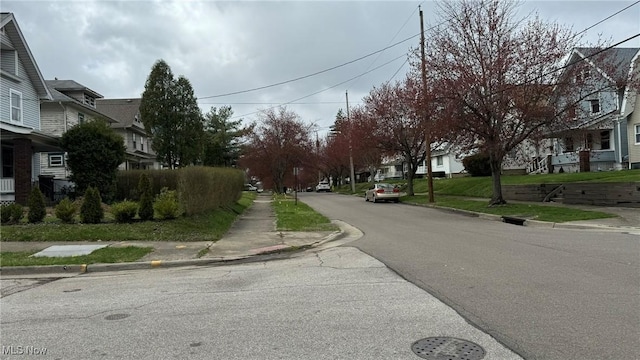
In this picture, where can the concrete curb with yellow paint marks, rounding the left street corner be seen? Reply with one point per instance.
(275, 254)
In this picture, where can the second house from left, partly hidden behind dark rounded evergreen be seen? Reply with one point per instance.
(71, 103)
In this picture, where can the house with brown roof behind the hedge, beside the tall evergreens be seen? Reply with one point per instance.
(138, 146)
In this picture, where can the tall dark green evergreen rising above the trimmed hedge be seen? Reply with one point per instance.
(172, 118)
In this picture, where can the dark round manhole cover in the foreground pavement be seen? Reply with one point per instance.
(447, 348)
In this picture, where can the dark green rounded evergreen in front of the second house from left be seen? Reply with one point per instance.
(94, 152)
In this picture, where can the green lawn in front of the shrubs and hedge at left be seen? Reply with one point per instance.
(204, 227)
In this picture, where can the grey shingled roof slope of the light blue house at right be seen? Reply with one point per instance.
(618, 60)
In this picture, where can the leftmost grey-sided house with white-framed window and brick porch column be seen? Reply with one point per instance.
(22, 88)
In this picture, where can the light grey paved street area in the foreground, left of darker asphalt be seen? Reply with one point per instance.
(335, 303)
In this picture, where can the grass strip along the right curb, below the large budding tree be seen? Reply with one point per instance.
(529, 211)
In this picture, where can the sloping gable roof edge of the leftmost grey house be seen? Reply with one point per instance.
(18, 42)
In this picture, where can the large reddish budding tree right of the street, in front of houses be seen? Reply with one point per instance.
(496, 74)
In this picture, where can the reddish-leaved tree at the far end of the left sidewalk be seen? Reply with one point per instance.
(278, 144)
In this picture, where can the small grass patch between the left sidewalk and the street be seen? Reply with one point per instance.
(300, 217)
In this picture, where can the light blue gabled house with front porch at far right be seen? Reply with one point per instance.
(601, 120)
